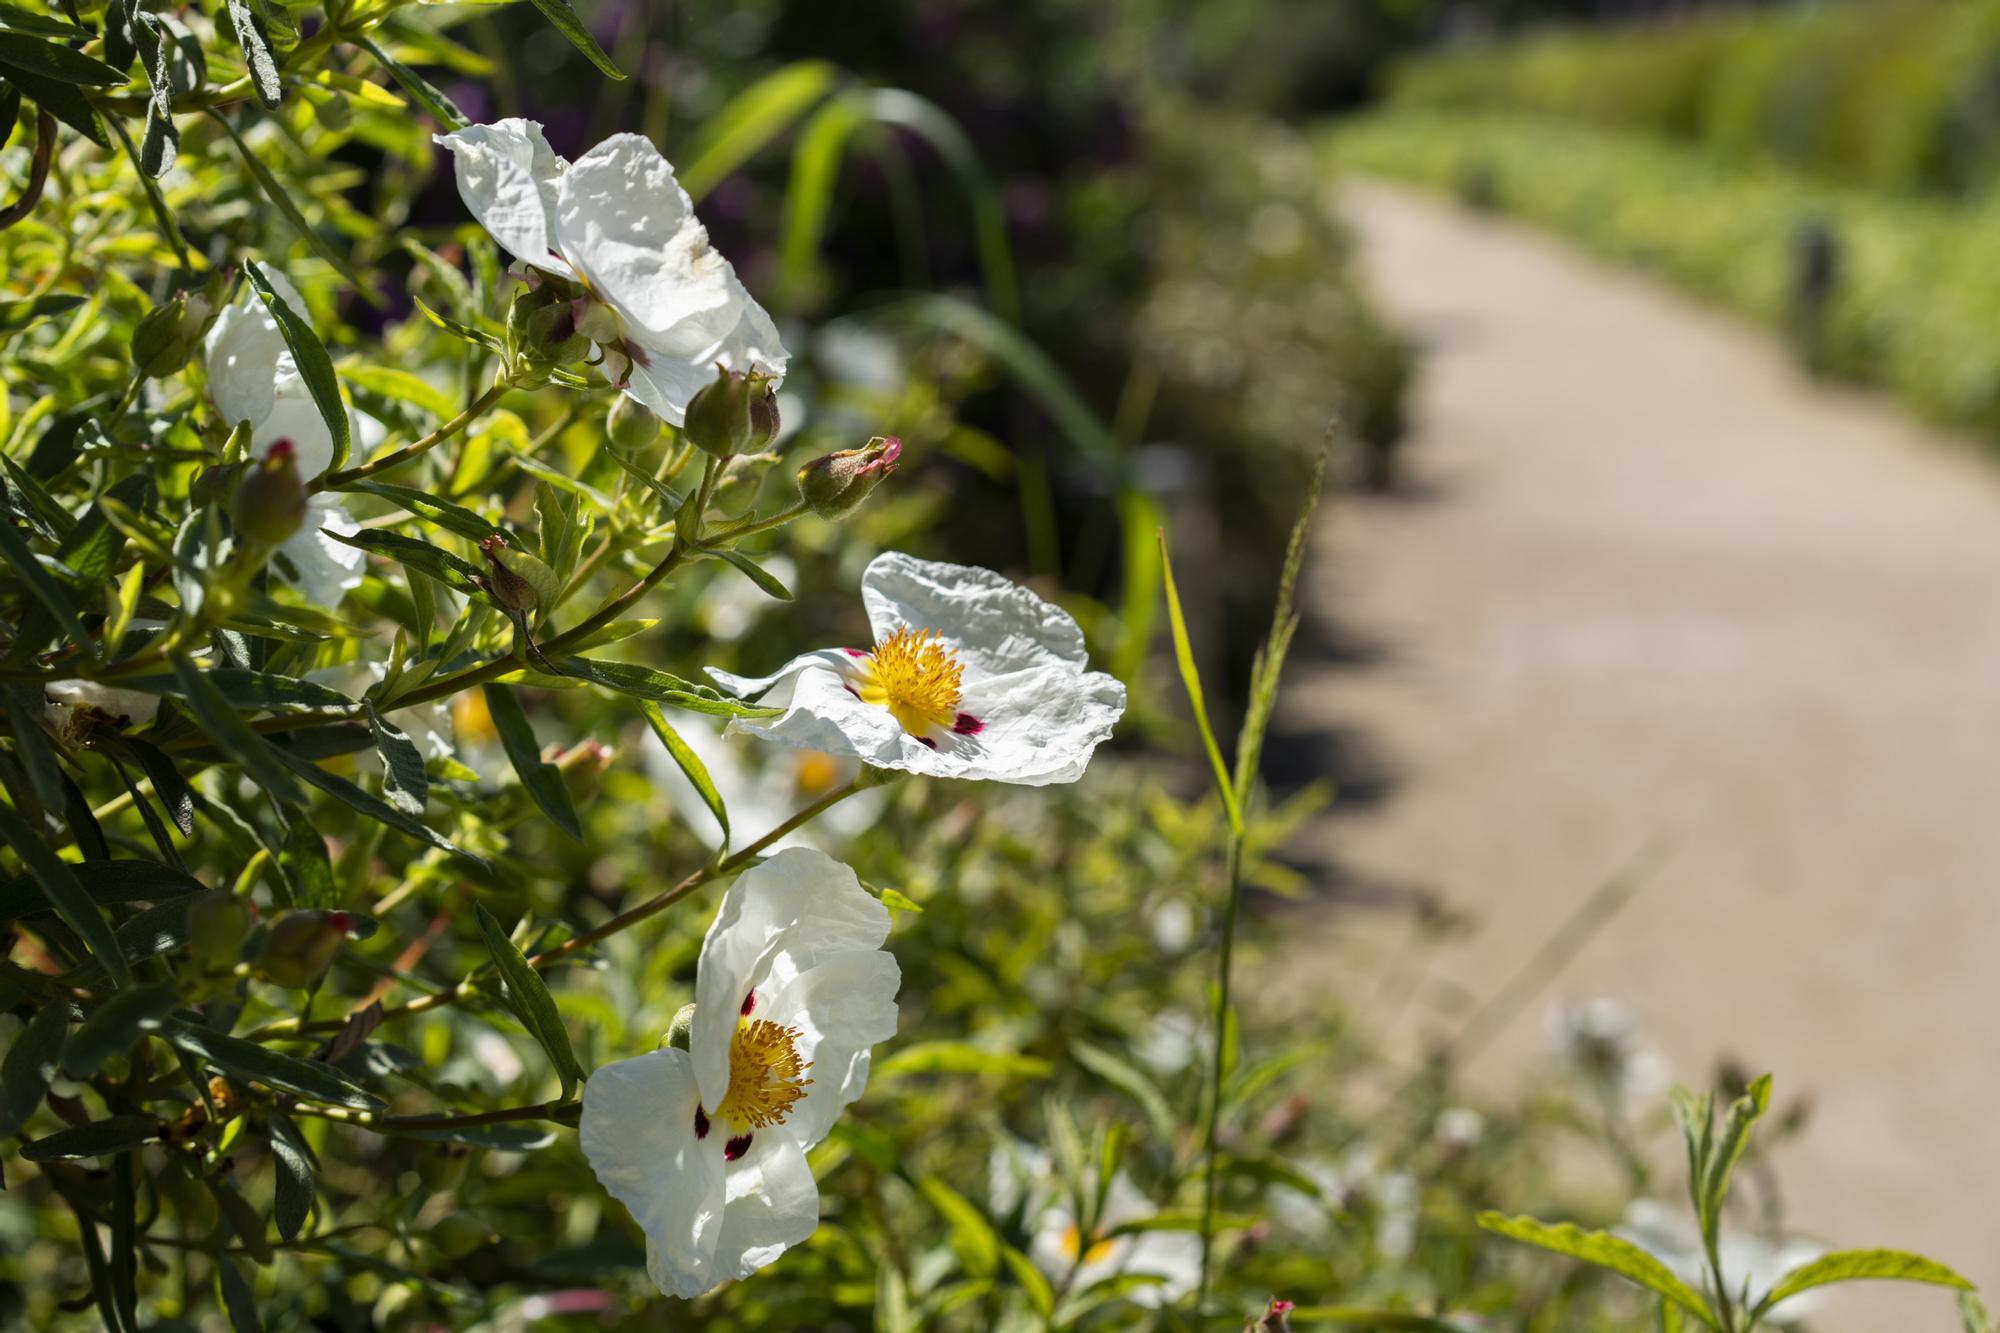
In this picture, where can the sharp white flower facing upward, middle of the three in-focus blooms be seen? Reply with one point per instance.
(969, 678)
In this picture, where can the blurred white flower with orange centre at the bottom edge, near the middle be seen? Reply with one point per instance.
(1023, 1176)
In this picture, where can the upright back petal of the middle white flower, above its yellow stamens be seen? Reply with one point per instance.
(993, 625)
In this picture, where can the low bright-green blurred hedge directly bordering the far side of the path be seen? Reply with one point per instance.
(1911, 309)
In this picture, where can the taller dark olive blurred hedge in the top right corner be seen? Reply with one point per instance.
(1895, 97)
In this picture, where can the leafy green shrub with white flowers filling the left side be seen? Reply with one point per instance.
(421, 922)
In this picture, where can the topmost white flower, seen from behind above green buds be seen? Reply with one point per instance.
(661, 301)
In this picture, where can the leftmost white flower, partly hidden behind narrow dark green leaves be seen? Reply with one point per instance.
(253, 377)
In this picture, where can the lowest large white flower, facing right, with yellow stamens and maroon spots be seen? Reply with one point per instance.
(707, 1146)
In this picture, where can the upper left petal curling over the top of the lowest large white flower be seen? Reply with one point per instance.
(777, 922)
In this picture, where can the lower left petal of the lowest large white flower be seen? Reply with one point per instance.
(637, 1132)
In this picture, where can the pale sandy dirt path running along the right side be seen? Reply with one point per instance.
(1653, 585)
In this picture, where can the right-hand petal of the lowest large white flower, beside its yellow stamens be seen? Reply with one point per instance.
(841, 1010)
